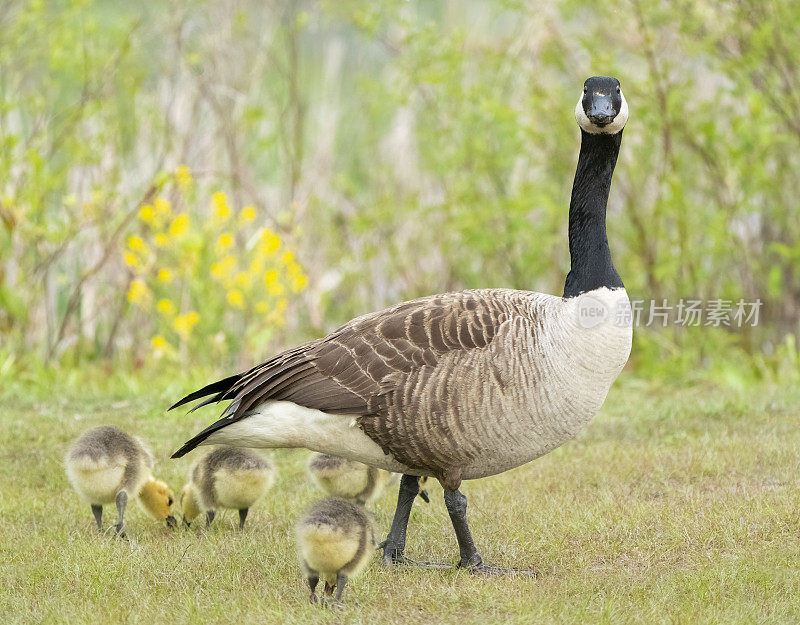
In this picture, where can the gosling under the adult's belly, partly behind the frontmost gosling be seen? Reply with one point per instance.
(340, 477)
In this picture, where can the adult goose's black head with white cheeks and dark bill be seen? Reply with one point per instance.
(602, 108)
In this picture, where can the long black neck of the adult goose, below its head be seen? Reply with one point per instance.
(591, 267)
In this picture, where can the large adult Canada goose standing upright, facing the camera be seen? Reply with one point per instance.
(461, 385)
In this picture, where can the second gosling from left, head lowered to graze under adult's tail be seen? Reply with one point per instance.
(228, 477)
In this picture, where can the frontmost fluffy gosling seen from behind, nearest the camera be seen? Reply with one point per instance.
(335, 540)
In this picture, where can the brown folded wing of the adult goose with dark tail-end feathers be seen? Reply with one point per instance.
(348, 371)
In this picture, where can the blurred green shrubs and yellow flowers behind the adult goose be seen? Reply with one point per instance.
(205, 182)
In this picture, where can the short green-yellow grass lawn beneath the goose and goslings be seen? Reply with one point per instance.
(673, 506)
